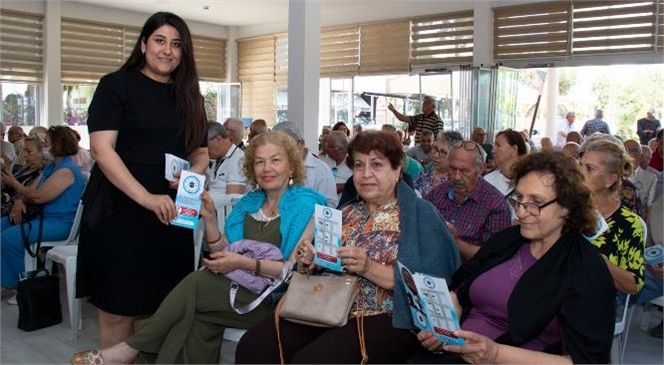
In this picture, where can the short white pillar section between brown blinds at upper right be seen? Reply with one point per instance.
(482, 34)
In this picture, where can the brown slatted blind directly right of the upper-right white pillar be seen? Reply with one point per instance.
(531, 31)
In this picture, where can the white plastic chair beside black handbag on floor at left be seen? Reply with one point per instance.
(66, 255)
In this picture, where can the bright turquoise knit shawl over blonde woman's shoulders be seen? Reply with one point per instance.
(296, 208)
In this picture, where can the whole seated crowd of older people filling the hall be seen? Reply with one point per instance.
(512, 241)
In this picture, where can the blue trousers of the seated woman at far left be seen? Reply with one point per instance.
(13, 251)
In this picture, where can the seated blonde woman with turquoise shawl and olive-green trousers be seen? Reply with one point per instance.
(189, 325)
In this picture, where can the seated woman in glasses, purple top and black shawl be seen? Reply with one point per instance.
(536, 292)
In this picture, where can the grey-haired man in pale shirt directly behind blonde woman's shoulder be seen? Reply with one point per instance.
(319, 175)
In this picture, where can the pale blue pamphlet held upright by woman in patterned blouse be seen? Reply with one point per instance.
(327, 237)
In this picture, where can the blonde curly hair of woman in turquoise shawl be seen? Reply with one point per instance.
(281, 140)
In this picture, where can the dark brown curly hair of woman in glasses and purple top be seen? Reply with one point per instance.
(571, 190)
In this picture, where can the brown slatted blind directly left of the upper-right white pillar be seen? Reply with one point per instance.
(442, 39)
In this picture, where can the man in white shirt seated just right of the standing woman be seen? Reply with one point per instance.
(227, 180)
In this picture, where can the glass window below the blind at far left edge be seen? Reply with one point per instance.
(20, 103)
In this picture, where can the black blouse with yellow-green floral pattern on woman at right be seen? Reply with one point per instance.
(623, 242)
